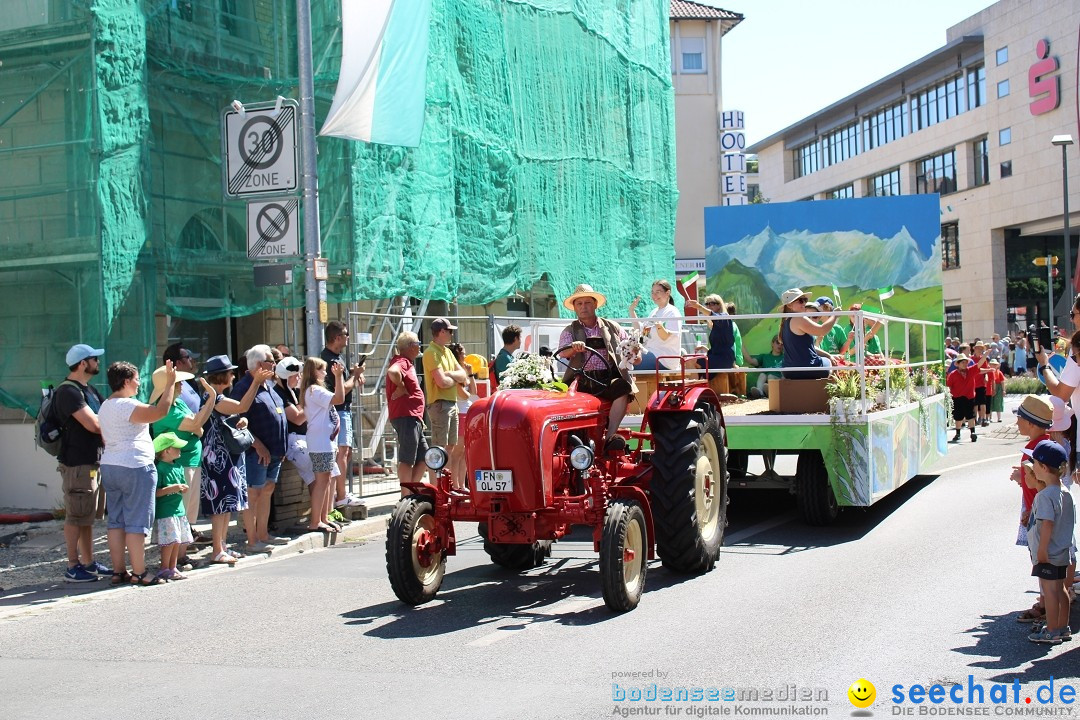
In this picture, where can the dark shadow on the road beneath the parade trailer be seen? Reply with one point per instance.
(749, 508)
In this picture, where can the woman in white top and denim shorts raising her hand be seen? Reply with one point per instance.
(127, 467)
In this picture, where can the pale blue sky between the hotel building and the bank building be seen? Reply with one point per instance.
(790, 59)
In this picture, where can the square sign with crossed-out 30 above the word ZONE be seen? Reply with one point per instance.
(260, 151)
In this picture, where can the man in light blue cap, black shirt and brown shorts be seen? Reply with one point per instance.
(75, 407)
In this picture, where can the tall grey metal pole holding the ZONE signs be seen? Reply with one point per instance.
(313, 243)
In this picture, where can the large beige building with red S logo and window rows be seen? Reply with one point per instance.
(974, 123)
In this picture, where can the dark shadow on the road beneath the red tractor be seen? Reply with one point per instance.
(565, 591)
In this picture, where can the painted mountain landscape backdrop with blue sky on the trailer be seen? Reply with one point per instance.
(754, 253)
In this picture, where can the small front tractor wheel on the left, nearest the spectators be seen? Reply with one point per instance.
(416, 573)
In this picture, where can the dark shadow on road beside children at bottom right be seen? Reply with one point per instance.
(1005, 642)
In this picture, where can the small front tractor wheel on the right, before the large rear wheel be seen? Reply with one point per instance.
(624, 562)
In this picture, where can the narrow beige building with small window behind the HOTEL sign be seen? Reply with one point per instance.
(697, 33)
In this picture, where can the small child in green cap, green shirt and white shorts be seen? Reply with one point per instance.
(171, 525)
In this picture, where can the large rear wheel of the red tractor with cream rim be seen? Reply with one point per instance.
(690, 488)
